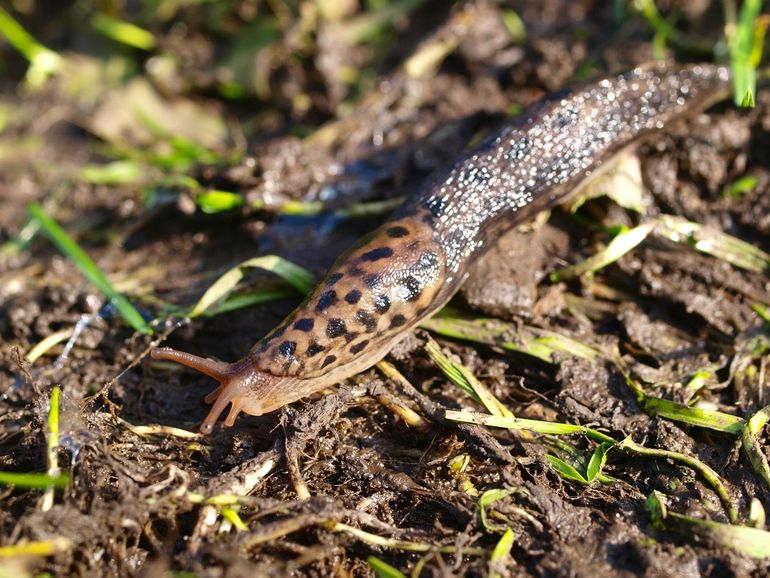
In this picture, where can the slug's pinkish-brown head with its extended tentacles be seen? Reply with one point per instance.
(237, 385)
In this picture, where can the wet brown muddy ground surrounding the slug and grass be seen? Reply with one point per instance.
(136, 503)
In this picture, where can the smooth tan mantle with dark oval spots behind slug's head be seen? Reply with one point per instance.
(365, 302)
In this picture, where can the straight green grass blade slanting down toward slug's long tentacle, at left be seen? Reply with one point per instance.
(89, 269)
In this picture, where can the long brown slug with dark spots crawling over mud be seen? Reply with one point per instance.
(408, 268)
